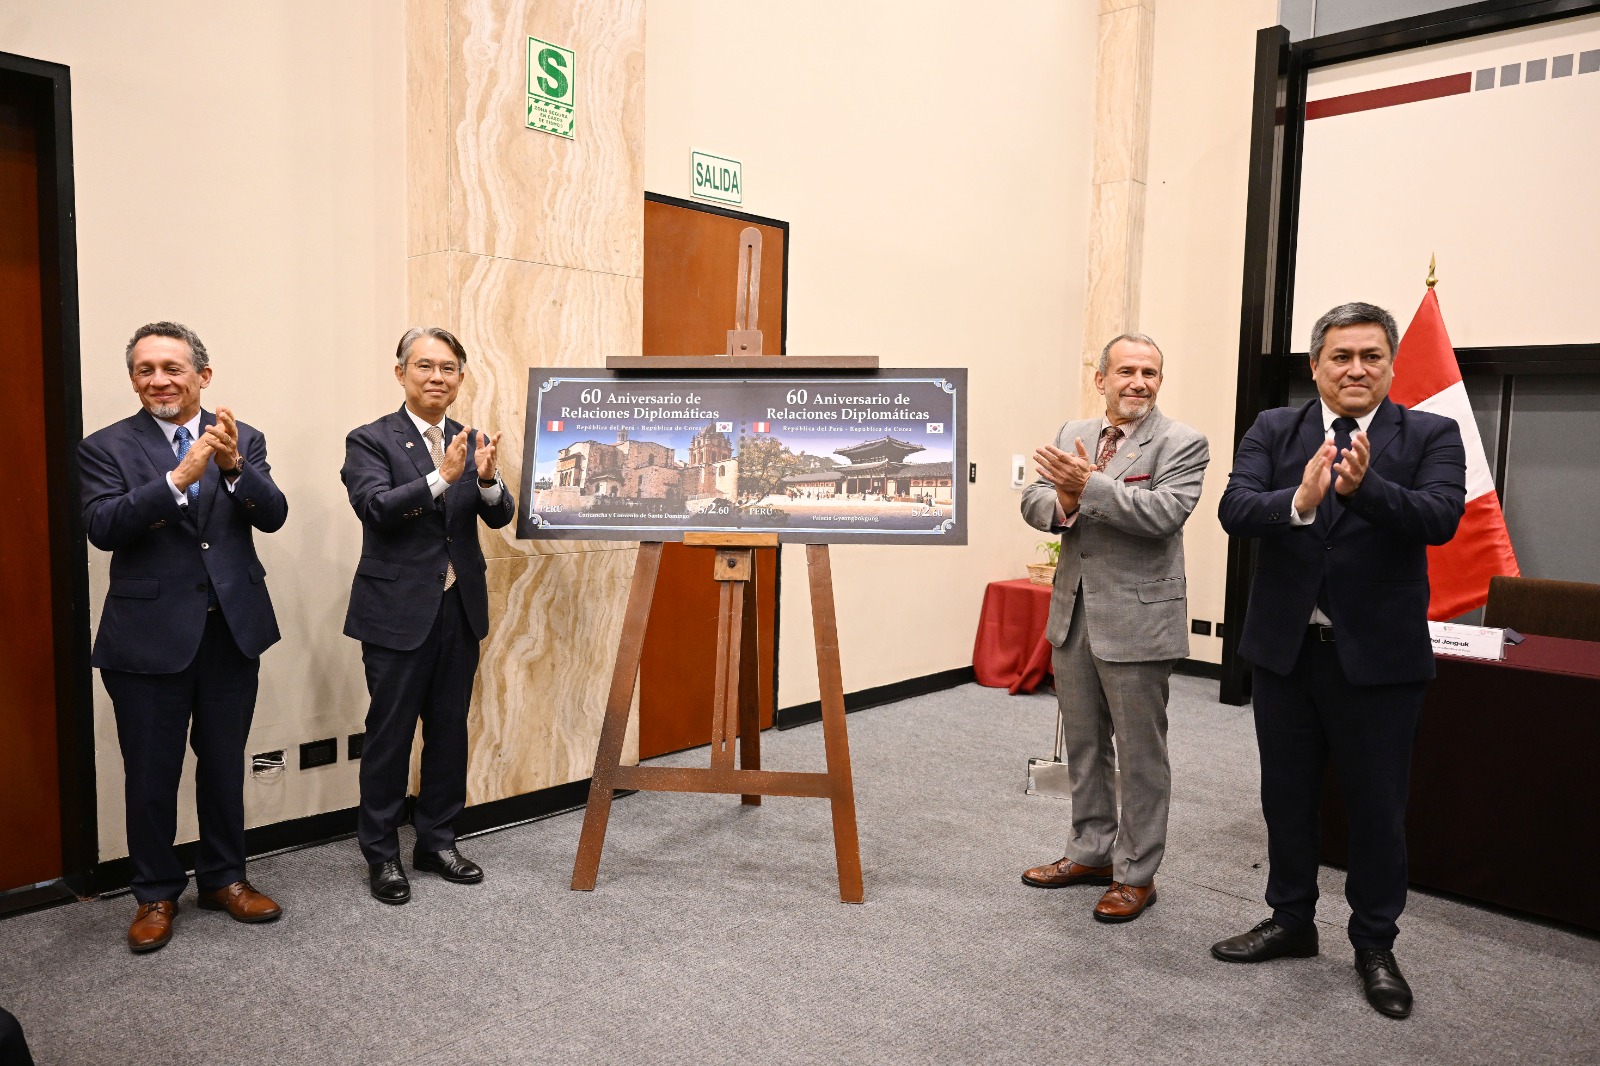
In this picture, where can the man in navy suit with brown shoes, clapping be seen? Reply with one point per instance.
(175, 495)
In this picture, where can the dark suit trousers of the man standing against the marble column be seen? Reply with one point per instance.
(434, 684)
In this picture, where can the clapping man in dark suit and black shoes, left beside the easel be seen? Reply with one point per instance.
(420, 606)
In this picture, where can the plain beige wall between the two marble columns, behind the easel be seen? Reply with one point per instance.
(934, 164)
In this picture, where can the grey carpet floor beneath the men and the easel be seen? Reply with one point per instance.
(716, 936)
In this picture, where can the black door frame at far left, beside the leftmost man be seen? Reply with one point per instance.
(47, 87)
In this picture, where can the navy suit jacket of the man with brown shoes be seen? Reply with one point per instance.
(166, 558)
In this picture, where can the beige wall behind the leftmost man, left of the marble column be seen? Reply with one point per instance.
(241, 170)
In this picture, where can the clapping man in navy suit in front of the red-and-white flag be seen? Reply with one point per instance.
(1345, 495)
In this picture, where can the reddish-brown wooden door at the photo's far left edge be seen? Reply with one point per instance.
(30, 769)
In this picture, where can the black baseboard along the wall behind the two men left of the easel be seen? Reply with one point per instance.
(114, 876)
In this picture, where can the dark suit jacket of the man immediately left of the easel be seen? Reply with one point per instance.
(407, 535)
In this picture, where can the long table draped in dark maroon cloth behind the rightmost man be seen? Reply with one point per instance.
(1505, 790)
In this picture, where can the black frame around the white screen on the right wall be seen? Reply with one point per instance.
(1266, 366)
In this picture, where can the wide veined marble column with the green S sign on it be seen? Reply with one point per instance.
(530, 249)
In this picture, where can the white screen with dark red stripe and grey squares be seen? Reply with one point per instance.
(1484, 151)
